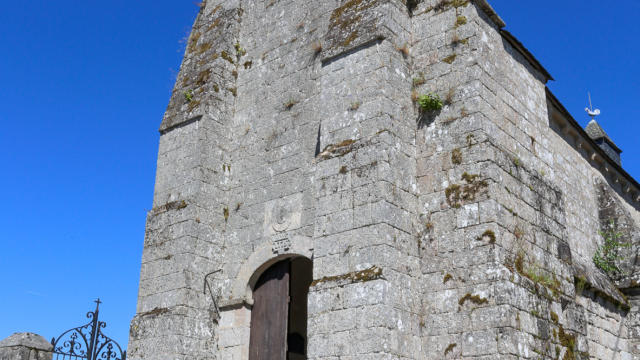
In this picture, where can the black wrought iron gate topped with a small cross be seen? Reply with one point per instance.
(87, 342)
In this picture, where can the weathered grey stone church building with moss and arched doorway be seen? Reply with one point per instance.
(380, 179)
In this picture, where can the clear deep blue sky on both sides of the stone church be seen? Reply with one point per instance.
(84, 84)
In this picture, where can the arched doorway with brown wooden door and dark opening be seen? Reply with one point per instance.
(279, 313)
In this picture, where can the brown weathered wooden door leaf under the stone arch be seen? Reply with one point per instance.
(270, 314)
